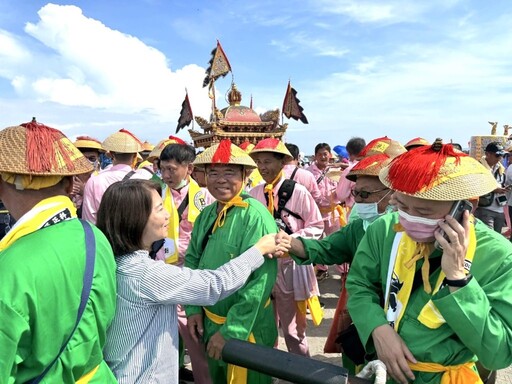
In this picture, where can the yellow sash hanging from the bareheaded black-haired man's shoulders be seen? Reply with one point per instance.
(196, 203)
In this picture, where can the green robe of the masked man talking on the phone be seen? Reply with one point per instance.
(478, 316)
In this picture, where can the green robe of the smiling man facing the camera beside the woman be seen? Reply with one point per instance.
(248, 310)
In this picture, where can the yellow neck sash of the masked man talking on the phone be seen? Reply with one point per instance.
(409, 252)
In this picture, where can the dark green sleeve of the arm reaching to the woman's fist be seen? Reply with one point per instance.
(337, 248)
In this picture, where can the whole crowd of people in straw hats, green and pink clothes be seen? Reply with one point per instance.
(112, 272)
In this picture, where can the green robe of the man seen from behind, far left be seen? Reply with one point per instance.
(41, 284)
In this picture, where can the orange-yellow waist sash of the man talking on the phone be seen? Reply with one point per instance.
(455, 374)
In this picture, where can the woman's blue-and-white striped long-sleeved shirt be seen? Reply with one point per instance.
(142, 342)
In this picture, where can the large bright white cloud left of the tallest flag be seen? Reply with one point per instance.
(103, 68)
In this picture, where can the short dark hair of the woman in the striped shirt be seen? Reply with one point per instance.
(122, 225)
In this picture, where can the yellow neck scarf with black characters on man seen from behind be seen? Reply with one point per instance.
(47, 212)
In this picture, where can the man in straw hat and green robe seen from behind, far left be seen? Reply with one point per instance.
(58, 283)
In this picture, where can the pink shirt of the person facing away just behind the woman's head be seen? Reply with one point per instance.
(97, 185)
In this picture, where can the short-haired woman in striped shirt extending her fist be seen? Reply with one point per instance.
(132, 217)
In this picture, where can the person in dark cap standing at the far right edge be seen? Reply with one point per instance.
(490, 208)
